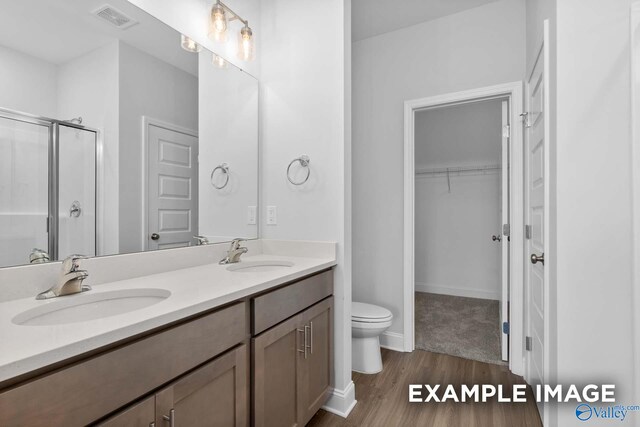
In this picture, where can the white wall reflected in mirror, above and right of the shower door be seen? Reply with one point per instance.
(88, 87)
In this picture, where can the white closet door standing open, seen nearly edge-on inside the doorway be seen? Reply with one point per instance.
(504, 219)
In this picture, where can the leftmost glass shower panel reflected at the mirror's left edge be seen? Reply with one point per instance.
(24, 189)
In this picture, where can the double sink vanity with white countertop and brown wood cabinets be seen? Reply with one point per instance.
(246, 343)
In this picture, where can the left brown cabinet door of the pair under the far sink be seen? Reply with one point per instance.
(275, 377)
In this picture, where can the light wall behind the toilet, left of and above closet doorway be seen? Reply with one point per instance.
(476, 48)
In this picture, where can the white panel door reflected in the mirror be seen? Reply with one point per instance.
(172, 189)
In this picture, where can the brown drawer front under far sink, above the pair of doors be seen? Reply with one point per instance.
(274, 307)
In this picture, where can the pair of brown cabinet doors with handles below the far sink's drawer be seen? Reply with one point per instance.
(292, 364)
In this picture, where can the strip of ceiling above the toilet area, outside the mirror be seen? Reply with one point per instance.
(374, 17)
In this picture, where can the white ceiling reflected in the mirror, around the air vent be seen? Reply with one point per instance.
(61, 30)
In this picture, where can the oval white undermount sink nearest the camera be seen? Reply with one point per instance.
(90, 306)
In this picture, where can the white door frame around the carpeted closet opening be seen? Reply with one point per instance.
(514, 92)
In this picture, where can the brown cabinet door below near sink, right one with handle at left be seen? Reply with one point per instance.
(213, 395)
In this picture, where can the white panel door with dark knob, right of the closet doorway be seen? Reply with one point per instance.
(536, 220)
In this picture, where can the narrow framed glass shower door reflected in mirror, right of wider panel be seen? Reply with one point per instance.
(76, 153)
